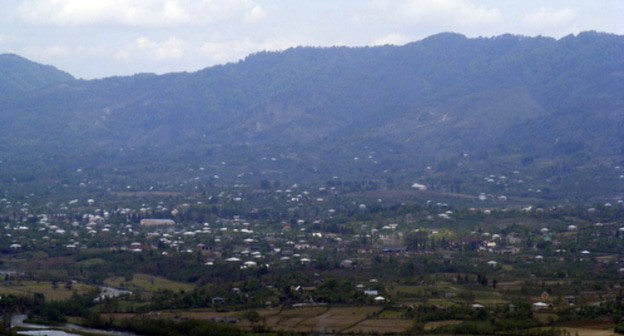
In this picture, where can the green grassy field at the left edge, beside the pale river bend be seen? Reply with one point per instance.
(28, 288)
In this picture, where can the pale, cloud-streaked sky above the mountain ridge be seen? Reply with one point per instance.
(101, 38)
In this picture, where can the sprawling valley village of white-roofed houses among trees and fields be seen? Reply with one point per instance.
(317, 260)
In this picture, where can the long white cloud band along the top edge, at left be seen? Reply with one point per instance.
(139, 13)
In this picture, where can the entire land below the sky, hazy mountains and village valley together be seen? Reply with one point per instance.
(343, 190)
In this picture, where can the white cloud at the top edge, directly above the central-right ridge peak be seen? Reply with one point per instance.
(456, 11)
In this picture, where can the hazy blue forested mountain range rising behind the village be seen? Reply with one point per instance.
(550, 108)
